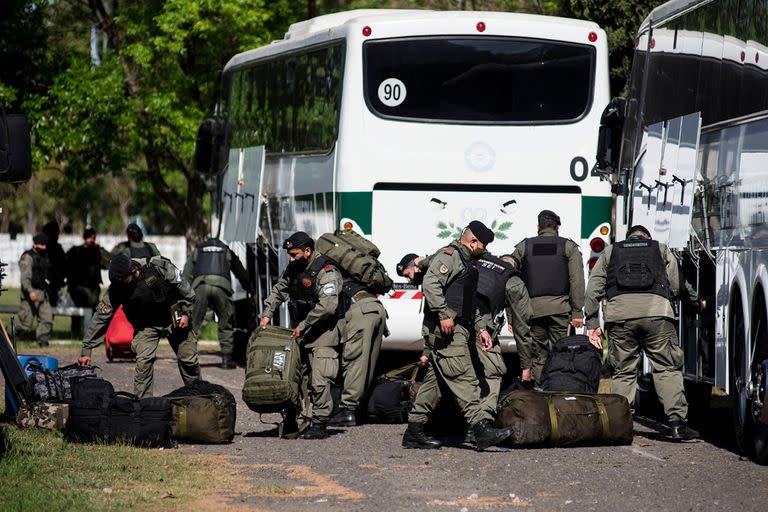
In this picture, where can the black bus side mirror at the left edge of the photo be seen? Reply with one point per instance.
(15, 149)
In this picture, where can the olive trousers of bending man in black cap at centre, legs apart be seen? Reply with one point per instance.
(450, 367)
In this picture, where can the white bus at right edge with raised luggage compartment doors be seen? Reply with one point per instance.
(694, 170)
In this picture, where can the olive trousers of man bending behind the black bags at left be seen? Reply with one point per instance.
(145, 341)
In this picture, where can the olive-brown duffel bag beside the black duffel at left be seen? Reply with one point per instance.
(203, 413)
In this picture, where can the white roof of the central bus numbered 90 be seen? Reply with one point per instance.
(334, 26)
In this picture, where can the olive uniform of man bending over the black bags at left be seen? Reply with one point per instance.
(149, 330)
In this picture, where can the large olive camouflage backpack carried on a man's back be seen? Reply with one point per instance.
(357, 257)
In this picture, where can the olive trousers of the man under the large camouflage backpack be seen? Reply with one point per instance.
(366, 322)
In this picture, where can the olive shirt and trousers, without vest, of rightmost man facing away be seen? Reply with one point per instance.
(642, 320)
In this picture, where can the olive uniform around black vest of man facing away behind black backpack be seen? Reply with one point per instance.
(553, 313)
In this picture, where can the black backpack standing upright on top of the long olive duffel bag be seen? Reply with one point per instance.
(573, 365)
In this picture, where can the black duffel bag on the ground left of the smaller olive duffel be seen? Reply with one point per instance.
(99, 414)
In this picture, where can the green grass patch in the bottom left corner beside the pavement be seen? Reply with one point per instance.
(39, 471)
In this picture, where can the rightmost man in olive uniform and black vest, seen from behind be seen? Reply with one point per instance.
(639, 278)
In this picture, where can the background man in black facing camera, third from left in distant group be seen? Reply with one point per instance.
(84, 264)
